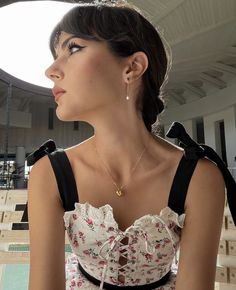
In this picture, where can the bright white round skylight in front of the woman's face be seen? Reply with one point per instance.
(25, 28)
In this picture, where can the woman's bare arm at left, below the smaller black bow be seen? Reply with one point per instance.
(46, 229)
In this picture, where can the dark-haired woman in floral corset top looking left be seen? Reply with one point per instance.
(109, 70)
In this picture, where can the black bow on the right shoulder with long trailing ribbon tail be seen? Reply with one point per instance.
(193, 150)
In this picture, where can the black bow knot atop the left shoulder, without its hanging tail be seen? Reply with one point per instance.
(46, 148)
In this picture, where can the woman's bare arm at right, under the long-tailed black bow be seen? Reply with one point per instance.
(201, 233)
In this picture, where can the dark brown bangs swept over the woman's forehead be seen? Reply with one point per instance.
(99, 23)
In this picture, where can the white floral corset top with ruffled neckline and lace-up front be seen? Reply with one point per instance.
(151, 244)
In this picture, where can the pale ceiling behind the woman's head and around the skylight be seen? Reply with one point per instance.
(203, 42)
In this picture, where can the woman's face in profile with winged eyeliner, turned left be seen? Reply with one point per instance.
(90, 76)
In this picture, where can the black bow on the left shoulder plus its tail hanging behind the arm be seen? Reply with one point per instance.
(46, 148)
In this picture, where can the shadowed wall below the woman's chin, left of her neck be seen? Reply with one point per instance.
(31, 138)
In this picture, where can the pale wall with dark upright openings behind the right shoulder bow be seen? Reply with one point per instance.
(220, 105)
